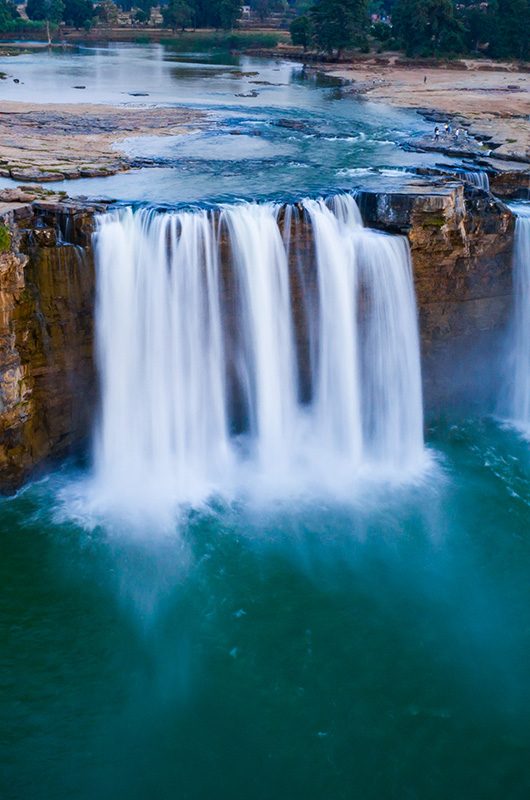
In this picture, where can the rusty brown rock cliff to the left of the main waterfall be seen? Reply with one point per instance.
(47, 381)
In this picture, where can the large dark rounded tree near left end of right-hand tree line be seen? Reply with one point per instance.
(338, 23)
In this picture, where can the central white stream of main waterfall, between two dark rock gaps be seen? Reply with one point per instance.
(267, 359)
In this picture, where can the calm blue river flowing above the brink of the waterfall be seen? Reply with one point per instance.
(272, 128)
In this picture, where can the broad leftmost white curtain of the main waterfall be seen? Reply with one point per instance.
(160, 352)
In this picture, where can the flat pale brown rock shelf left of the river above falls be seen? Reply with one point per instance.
(51, 142)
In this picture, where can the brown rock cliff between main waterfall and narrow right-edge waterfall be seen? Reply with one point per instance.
(461, 242)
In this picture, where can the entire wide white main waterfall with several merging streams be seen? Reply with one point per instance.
(208, 324)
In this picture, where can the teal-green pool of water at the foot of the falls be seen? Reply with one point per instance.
(380, 650)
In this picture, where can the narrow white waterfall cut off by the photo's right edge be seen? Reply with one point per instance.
(520, 406)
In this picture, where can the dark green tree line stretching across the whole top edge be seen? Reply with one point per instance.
(422, 28)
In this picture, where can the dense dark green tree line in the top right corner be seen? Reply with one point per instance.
(497, 28)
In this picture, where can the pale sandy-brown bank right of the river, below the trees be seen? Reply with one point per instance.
(493, 97)
